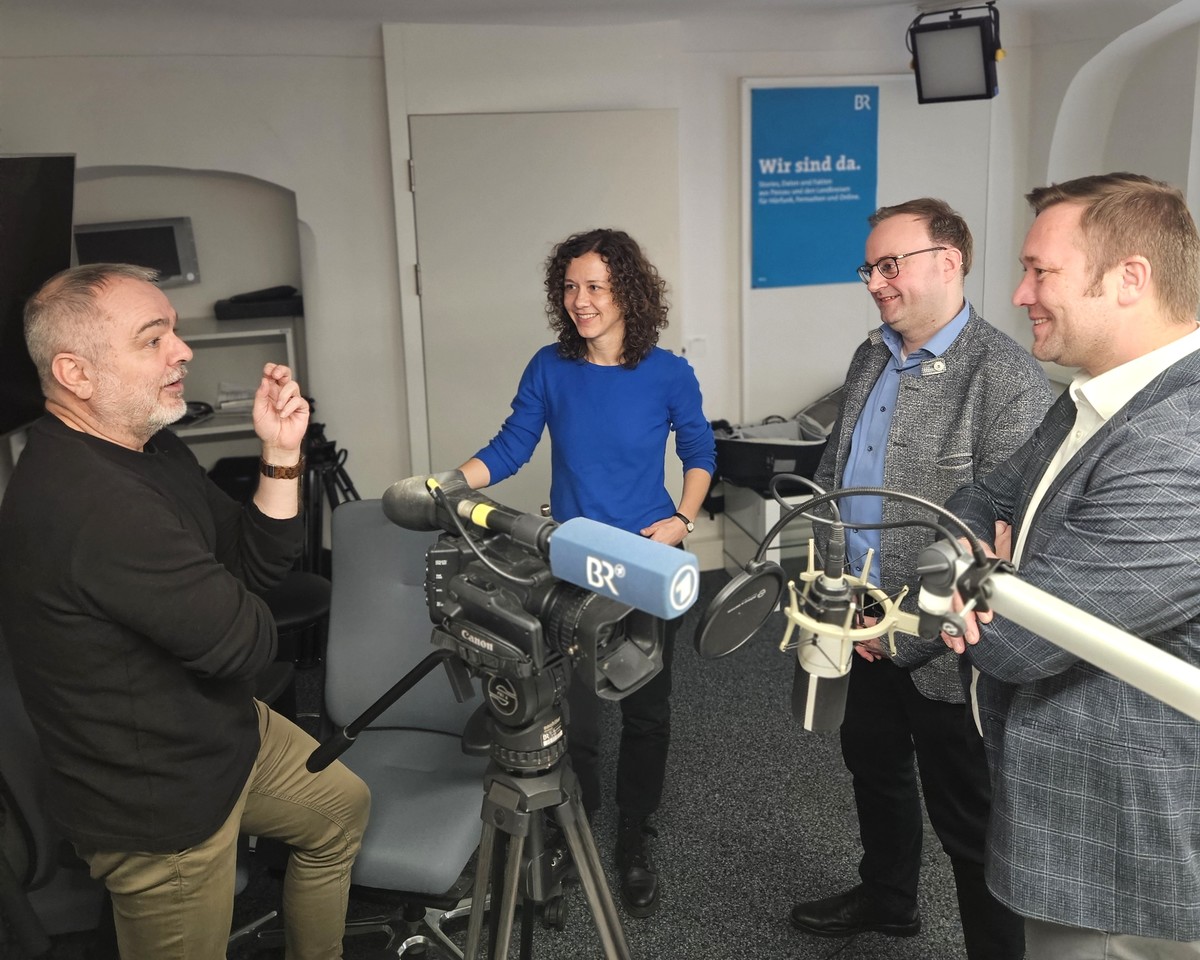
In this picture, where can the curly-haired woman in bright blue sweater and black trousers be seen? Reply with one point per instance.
(611, 398)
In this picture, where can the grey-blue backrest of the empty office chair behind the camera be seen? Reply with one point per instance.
(380, 625)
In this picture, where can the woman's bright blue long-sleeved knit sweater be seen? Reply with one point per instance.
(609, 431)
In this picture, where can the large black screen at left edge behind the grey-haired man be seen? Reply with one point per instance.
(37, 202)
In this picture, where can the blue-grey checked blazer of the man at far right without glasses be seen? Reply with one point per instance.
(1096, 785)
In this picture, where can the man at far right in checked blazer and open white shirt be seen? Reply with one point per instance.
(1095, 833)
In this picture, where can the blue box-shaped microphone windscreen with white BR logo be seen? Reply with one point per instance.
(638, 572)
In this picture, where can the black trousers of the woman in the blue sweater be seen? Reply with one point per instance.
(645, 740)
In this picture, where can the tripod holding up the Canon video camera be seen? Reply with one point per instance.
(530, 778)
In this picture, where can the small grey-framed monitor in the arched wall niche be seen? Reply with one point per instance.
(165, 245)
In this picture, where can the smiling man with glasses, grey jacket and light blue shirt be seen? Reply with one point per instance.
(935, 398)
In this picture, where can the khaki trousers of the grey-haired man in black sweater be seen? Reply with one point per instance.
(179, 907)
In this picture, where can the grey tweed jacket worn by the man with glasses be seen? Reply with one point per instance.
(952, 425)
